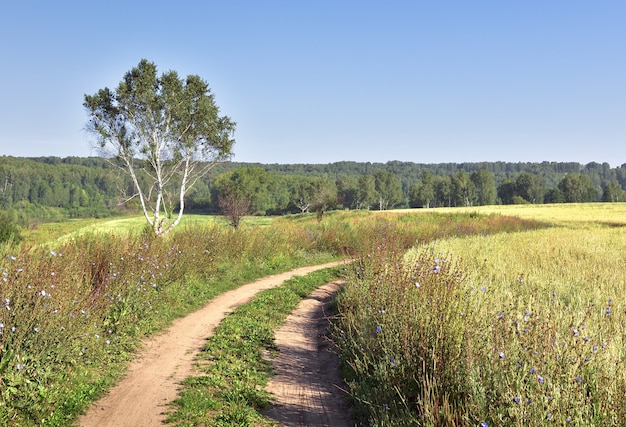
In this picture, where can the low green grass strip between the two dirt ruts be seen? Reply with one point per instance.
(230, 389)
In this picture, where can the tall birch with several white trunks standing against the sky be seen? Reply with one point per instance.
(164, 132)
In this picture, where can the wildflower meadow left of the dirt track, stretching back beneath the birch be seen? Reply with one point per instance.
(76, 301)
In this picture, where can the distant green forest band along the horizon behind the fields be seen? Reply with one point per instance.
(48, 188)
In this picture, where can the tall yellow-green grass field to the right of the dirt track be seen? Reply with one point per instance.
(515, 329)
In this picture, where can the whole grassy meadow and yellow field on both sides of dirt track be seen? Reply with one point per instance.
(481, 316)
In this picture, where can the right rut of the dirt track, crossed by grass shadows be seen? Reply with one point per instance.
(307, 384)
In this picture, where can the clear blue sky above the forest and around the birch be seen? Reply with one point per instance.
(325, 81)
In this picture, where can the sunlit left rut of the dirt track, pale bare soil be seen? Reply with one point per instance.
(152, 380)
